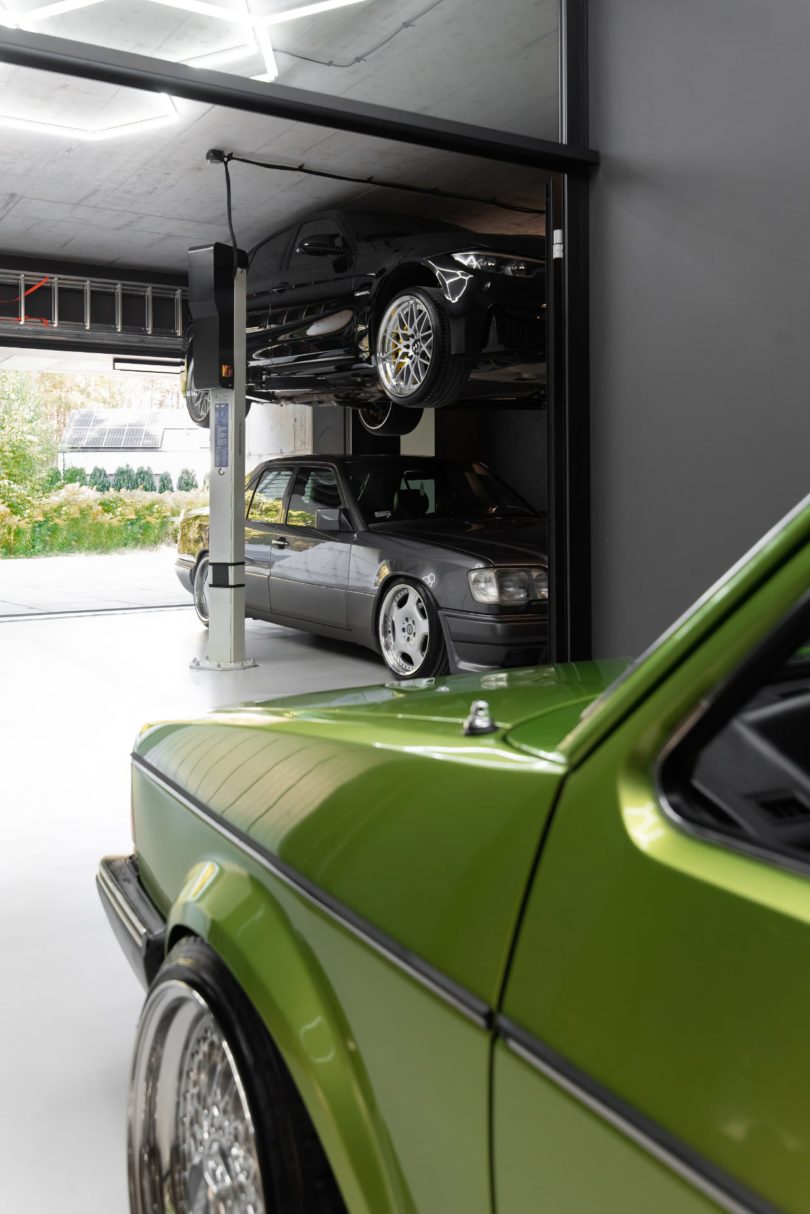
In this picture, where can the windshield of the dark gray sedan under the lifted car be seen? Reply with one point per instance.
(404, 490)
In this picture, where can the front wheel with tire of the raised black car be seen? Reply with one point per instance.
(439, 377)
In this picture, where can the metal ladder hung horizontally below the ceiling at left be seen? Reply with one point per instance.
(117, 315)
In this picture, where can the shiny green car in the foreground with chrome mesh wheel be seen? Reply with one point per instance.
(522, 941)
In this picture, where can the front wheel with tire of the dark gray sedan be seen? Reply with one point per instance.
(401, 651)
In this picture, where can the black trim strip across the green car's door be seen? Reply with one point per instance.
(727, 1193)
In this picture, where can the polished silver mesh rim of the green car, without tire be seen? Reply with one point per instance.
(192, 1144)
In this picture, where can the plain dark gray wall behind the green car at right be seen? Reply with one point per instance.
(701, 296)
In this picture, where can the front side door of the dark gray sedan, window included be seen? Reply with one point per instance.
(310, 568)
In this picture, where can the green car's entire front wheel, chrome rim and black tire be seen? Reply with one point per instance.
(214, 1113)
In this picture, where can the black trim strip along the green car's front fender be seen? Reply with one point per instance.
(451, 992)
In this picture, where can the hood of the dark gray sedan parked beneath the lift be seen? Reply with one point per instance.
(513, 540)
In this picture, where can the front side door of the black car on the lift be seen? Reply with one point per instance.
(313, 308)
